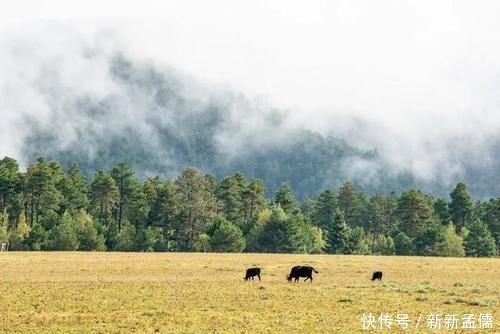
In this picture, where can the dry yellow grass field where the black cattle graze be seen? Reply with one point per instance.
(205, 293)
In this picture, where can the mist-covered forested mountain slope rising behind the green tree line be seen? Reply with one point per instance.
(161, 122)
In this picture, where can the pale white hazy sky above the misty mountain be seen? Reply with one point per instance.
(419, 80)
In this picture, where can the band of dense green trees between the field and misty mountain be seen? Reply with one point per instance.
(48, 208)
